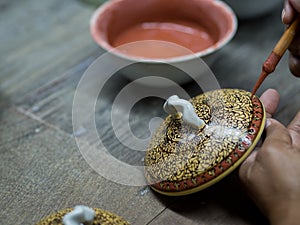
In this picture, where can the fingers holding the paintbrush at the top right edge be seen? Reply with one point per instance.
(290, 10)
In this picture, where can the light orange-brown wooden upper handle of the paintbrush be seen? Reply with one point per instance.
(286, 38)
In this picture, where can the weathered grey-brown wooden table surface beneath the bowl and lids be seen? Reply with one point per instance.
(45, 49)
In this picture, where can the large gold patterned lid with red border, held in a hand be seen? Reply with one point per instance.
(182, 159)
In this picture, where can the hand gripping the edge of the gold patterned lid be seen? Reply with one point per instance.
(271, 174)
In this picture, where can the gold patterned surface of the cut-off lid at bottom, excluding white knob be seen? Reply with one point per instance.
(101, 217)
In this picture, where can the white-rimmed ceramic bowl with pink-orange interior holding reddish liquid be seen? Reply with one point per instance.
(163, 31)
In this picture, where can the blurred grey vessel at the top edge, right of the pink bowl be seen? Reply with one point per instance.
(247, 9)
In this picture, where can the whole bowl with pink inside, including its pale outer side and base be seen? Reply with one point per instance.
(114, 18)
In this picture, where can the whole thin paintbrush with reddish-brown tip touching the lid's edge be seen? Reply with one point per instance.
(277, 53)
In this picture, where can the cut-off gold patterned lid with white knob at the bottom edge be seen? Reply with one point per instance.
(100, 216)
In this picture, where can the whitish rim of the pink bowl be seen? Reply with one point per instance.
(114, 50)
